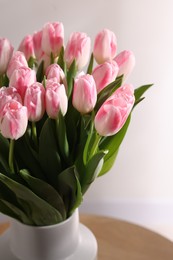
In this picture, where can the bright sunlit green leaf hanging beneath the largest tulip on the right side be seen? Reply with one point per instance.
(111, 144)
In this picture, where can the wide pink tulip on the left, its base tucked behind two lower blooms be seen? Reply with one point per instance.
(21, 79)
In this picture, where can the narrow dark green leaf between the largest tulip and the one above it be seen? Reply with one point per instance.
(108, 91)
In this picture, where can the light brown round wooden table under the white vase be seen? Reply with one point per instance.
(120, 240)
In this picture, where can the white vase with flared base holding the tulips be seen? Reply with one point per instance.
(69, 240)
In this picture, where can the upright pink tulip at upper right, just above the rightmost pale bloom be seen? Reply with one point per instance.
(105, 46)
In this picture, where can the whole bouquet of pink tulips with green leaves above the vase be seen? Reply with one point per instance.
(60, 127)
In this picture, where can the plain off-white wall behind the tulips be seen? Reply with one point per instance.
(139, 187)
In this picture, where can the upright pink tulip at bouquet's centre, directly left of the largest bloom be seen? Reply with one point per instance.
(84, 94)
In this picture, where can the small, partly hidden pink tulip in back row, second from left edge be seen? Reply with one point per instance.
(27, 47)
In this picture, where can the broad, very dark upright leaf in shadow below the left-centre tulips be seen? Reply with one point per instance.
(49, 152)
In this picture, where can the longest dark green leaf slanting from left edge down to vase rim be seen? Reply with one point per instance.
(37, 210)
